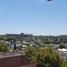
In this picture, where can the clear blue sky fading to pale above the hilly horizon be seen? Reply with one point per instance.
(37, 17)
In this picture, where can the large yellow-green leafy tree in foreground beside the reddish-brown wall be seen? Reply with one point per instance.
(44, 57)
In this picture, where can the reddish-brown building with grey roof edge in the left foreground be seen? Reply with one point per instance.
(15, 60)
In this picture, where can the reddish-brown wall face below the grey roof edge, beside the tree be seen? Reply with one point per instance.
(16, 61)
